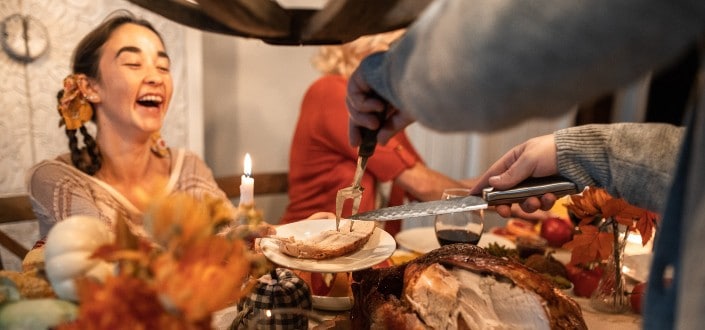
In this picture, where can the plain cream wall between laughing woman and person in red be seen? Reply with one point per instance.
(252, 93)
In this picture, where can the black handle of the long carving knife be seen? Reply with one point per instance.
(532, 187)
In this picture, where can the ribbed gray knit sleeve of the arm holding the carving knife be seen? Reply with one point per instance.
(632, 161)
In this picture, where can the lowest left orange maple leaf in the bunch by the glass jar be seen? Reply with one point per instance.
(590, 245)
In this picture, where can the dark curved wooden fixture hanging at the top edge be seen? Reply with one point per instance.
(339, 21)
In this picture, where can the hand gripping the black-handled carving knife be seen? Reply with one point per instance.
(534, 158)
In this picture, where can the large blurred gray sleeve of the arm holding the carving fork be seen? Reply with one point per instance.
(485, 64)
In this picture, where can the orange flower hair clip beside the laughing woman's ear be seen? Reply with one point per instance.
(73, 107)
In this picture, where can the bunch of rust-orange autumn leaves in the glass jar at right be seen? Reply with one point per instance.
(600, 216)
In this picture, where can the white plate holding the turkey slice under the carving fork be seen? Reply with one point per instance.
(380, 247)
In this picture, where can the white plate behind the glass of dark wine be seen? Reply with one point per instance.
(423, 240)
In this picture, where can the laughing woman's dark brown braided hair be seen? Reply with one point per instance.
(86, 60)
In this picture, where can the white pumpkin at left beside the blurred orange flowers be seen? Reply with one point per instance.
(67, 252)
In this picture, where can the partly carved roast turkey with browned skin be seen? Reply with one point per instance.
(460, 286)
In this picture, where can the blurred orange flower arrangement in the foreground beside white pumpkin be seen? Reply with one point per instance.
(178, 283)
